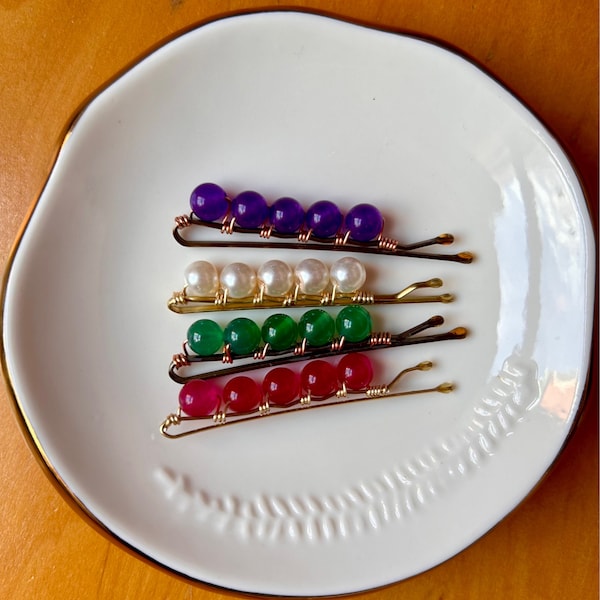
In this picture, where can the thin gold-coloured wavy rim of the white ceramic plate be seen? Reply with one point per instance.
(27, 429)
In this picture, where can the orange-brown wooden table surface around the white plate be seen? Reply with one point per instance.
(55, 54)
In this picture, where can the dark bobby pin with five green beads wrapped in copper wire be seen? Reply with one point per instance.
(242, 338)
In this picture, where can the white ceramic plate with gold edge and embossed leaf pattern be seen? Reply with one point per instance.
(335, 500)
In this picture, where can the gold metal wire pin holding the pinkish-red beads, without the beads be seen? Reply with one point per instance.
(340, 396)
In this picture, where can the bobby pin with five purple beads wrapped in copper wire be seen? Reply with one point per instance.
(321, 227)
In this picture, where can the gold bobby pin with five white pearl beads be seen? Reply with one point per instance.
(276, 285)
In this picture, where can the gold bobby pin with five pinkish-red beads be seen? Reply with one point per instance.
(284, 390)
